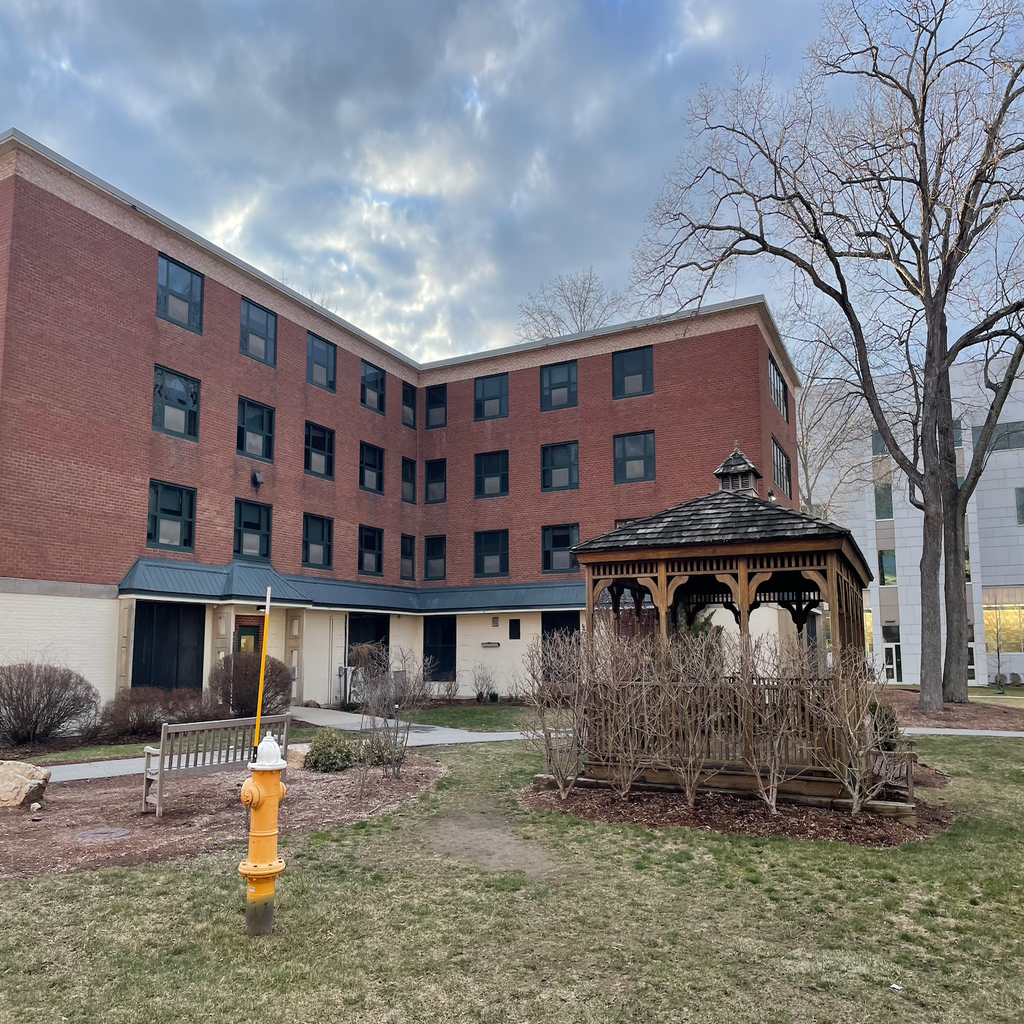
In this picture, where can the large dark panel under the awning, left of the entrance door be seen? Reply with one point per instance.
(169, 642)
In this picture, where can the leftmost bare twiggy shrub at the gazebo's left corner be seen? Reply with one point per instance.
(554, 685)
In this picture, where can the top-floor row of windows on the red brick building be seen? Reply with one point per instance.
(180, 301)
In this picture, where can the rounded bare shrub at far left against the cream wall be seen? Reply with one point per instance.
(39, 702)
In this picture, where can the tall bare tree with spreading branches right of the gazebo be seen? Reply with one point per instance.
(889, 184)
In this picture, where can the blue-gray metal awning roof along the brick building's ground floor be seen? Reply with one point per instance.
(248, 582)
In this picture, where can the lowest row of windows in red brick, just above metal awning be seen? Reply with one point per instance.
(173, 526)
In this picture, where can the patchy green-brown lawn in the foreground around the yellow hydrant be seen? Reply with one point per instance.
(626, 925)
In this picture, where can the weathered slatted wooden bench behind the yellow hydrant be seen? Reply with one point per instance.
(198, 748)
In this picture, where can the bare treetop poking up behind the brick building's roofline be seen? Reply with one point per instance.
(570, 304)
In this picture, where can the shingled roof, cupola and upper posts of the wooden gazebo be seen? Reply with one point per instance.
(735, 549)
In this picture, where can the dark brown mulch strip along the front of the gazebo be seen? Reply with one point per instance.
(720, 814)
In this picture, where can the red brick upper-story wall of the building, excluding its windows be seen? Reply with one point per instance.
(77, 449)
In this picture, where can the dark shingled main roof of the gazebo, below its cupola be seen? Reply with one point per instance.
(722, 518)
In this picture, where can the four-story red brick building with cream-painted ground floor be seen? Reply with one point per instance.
(178, 431)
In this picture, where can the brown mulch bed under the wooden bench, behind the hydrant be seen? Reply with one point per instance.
(200, 814)
